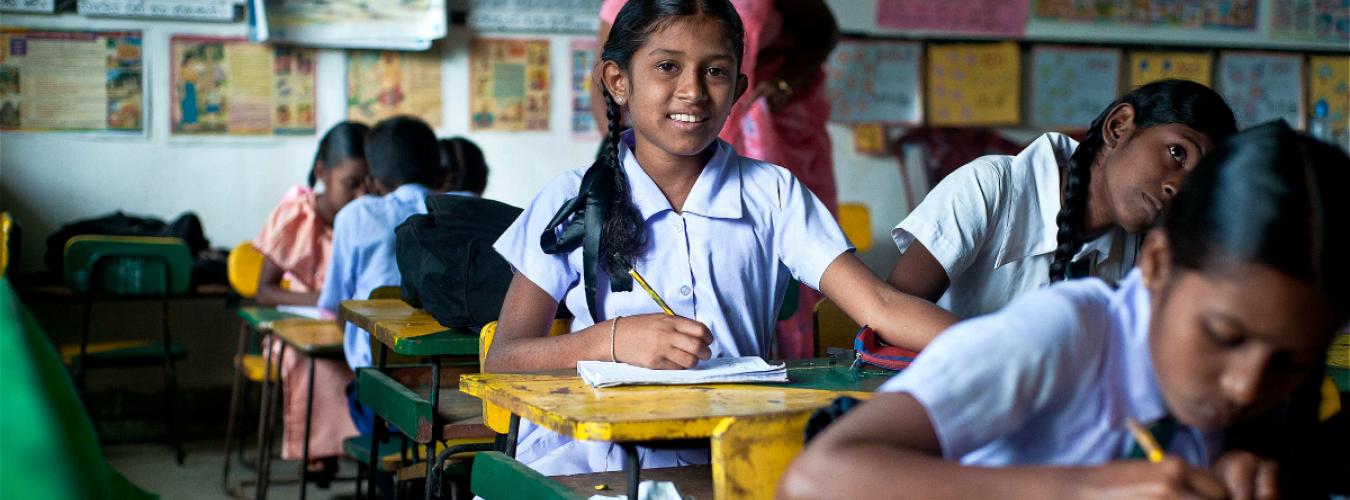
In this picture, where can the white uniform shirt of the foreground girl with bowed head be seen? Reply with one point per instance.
(1050, 380)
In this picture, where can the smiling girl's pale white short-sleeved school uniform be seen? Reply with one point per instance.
(726, 261)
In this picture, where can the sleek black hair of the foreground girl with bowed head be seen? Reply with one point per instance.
(1274, 197)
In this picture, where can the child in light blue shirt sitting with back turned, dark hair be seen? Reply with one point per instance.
(404, 161)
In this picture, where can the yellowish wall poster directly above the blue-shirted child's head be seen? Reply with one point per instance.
(384, 84)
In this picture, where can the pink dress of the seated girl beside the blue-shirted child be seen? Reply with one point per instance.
(296, 240)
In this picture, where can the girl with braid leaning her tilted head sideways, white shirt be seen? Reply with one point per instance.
(1004, 226)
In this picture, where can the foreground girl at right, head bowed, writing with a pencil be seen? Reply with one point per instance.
(1233, 306)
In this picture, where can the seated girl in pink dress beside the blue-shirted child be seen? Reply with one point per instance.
(296, 244)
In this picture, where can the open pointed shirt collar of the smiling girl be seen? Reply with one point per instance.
(716, 194)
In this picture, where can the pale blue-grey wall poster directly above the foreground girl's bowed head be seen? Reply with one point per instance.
(1263, 87)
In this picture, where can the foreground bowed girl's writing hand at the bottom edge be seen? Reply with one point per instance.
(1137, 479)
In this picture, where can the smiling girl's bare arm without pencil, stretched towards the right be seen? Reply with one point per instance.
(898, 318)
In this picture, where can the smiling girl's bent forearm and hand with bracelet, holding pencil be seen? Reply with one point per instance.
(653, 341)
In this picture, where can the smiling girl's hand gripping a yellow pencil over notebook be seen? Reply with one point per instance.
(662, 343)
